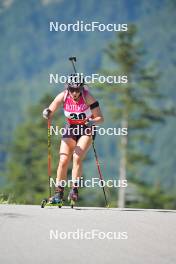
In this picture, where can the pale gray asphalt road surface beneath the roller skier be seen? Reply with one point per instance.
(25, 235)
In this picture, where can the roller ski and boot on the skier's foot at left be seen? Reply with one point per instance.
(56, 200)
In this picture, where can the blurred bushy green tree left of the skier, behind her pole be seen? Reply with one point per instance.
(27, 165)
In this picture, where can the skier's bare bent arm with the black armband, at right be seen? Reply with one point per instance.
(96, 112)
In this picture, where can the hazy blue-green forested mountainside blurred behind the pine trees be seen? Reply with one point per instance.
(29, 52)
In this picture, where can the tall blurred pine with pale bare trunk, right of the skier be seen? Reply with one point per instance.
(136, 105)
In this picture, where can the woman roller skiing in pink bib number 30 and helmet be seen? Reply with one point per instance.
(82, 111)
